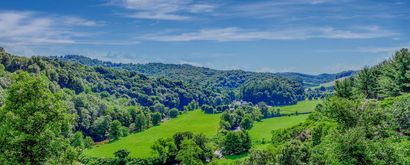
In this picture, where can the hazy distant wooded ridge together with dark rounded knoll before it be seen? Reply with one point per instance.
(284, 89)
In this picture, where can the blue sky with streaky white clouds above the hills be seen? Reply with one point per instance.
(308, 36)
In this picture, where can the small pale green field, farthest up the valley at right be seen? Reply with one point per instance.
(301, 107)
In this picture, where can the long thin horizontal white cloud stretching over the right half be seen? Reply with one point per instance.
(238, 34)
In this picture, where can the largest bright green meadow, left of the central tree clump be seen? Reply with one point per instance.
(139, 143)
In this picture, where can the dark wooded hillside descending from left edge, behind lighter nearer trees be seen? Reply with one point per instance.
(119, 83)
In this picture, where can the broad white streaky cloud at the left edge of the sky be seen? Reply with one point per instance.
(32, 28)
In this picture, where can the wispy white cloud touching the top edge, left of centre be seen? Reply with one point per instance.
(163, 9)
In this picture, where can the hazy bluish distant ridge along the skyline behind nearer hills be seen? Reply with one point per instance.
(225, 79)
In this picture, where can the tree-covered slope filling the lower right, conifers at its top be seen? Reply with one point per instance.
(366, 122)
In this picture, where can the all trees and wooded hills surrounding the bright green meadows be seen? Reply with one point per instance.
(53, 109)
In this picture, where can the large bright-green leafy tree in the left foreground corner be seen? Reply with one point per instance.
(34, 126)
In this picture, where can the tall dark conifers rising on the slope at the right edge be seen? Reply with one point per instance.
(388, 79)
